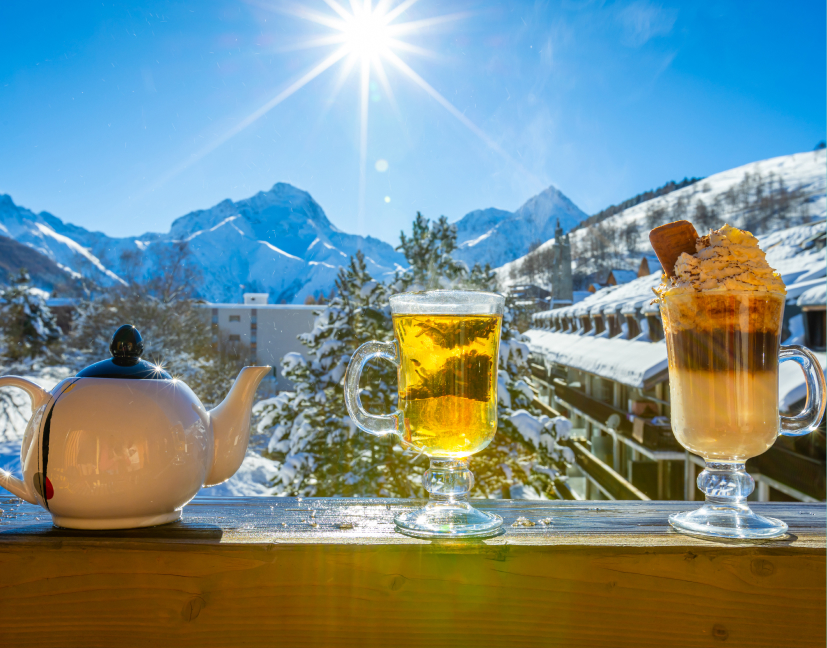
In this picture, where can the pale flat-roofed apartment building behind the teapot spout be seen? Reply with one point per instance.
(264, 332)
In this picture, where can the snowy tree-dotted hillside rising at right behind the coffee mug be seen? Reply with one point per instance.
(735, 196)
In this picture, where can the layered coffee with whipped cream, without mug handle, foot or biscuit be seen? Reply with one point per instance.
(722, 316)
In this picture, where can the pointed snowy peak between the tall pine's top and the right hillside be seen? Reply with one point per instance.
(496, 236)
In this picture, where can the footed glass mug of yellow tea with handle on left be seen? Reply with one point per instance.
(446, 348)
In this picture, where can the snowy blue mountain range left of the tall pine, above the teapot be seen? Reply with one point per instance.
(278, 241)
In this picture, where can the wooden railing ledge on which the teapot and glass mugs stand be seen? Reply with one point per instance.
(284, 572)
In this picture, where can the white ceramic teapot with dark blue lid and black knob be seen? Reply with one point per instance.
(123, 444)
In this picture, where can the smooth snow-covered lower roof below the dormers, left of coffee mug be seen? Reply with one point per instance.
(637, 364)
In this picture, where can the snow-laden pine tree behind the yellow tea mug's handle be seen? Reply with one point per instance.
(319, 450)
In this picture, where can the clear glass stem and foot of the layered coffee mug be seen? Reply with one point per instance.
(726, 513)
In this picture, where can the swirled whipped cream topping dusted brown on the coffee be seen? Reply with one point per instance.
(726, 259)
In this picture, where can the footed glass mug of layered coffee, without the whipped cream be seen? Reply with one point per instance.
(723, 349)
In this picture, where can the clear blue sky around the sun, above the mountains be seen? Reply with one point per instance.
(117, 116)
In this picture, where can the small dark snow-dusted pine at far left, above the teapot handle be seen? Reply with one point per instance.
(28, 327)
